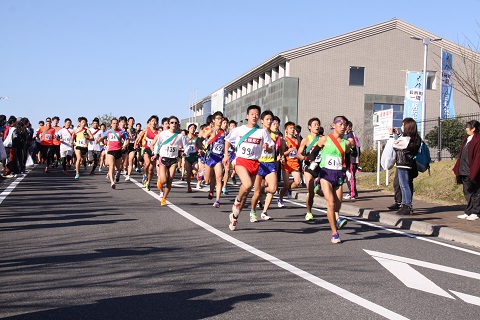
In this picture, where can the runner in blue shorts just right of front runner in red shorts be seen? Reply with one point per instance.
(267, 172)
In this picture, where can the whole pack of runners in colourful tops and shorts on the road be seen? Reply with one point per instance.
(212, 154)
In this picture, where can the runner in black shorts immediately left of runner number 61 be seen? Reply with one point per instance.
(309, 153)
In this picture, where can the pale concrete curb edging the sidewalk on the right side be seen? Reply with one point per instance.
(390, 219)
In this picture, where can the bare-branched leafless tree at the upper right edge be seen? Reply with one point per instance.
(466, 73)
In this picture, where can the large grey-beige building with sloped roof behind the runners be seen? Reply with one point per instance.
(353, 74)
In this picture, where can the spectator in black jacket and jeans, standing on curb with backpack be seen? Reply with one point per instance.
(406, 148)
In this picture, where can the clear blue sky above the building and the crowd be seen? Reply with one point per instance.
(74, 58)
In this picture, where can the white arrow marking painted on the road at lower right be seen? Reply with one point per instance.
(400, 268)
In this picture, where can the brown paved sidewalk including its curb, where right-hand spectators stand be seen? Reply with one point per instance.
(429, 218)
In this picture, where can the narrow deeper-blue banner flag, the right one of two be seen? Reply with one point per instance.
(447, 108)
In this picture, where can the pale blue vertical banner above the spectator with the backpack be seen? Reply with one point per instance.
(413, 102)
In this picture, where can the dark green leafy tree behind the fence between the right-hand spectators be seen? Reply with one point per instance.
(453, 132)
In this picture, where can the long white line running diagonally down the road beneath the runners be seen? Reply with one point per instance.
(282, 264)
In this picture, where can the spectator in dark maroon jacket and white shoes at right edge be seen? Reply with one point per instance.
(467, 170)
